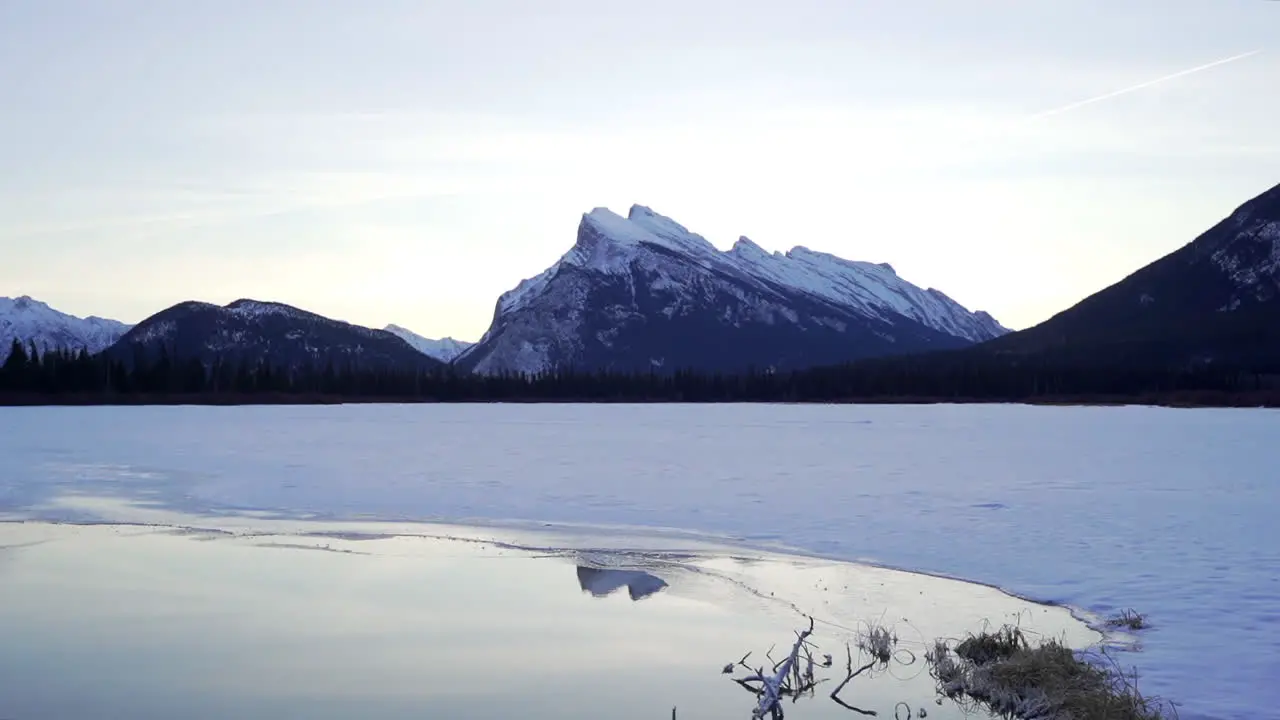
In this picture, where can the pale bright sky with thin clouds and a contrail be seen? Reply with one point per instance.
(409, 161)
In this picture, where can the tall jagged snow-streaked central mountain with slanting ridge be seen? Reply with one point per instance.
(643, 291)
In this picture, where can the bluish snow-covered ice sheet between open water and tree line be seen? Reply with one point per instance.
(1167, 512)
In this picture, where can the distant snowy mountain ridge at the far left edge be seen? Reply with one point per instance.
(31, 321)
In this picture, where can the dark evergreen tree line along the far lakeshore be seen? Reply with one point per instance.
(76, 377)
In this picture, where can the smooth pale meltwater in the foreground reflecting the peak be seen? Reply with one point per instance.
(322, 622)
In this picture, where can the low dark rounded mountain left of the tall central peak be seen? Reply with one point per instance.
(255, 331)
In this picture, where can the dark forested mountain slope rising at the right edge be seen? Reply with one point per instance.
(1214, 299)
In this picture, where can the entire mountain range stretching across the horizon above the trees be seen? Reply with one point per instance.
(643, 293)
